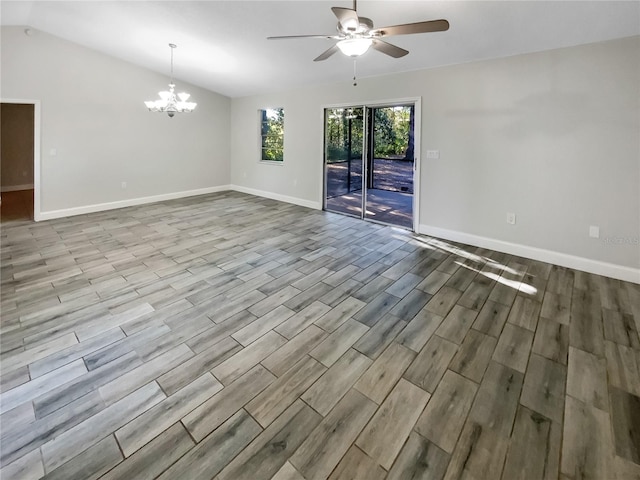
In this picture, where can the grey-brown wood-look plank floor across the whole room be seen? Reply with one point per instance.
(233, 337)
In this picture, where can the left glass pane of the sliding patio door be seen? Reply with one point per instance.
(344, 139)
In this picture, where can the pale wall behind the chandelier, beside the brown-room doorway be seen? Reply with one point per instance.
(94, 116)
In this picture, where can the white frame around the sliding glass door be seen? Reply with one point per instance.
(417, 134)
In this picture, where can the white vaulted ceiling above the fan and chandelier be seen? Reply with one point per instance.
(222, 45)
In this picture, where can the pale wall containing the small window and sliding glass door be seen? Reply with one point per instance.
(552, 136)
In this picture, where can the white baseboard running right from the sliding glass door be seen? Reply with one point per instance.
(597, 267)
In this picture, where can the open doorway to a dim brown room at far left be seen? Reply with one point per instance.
(18, 149)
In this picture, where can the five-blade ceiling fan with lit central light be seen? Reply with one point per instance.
(356, 34)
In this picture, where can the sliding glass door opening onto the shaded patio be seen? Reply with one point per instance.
(370, 162)
